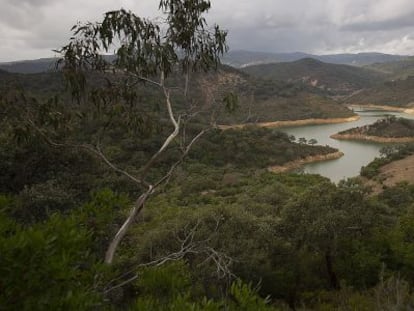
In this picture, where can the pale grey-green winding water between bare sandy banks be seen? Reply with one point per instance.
(356, 153)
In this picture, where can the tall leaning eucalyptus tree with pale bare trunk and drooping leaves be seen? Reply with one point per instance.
(107, 89)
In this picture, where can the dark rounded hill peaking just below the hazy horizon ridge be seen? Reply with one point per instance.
(338, 79)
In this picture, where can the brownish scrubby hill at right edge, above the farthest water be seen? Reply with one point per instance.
(399, 93)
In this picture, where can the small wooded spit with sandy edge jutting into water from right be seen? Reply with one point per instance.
(388, 130)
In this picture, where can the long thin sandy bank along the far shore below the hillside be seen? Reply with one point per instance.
(276, 124)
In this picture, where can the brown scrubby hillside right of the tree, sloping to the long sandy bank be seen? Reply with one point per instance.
(266, 100)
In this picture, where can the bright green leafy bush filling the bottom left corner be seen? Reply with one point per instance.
(47, 265)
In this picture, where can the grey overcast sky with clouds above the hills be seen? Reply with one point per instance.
(32, 28)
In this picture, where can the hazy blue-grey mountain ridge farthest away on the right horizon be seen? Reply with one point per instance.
(242, 59)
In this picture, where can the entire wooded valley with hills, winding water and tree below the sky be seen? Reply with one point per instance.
(161, 179)
